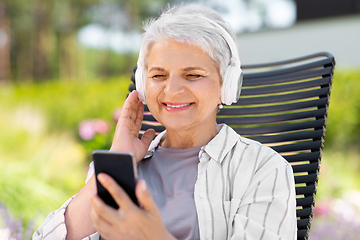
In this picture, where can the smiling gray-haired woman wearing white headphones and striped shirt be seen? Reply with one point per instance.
(199, 180)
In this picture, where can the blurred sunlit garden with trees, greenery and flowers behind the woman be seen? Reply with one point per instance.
(59, 99)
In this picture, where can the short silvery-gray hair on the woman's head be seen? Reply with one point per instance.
(191, 24)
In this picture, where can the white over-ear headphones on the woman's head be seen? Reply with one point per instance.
(232, 78)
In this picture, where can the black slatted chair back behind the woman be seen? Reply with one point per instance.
(284, 105)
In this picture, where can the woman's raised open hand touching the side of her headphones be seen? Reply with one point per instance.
(128, 127)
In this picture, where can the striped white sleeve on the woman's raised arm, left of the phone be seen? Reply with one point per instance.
(54, 225)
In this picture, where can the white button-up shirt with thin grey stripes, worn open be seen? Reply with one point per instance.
(244, 190)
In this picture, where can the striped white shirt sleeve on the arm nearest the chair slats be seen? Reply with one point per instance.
(268, 208)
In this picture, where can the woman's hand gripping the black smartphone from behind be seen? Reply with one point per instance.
(129, 221)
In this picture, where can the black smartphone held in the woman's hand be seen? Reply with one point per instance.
(121, 166)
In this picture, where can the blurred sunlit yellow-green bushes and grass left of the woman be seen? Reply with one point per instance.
(42, 160)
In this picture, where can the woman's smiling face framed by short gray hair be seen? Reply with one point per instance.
(182, 87)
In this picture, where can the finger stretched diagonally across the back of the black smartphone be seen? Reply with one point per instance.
(119, 195)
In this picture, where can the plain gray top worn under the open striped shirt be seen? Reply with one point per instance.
(170, 175)
